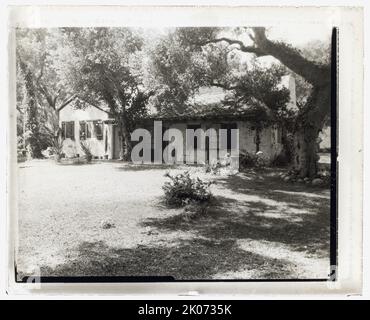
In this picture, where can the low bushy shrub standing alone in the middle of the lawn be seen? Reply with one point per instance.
(182, 190)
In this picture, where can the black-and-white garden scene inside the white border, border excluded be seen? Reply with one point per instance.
(182, 153)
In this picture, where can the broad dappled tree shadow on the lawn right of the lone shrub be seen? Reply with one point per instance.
(295, 216)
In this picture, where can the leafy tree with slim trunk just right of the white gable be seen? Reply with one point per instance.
(104, 67)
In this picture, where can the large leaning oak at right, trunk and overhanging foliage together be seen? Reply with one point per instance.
(216, 46)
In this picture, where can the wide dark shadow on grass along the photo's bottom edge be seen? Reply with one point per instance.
(188, 260)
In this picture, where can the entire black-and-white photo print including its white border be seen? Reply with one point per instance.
(184, 151)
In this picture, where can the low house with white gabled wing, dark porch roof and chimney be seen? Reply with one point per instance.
(94, 125)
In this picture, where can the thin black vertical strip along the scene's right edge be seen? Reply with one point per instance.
(334, 155)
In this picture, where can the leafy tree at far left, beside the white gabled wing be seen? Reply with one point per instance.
(40, 90)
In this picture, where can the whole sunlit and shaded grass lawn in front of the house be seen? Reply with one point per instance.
(256, 227)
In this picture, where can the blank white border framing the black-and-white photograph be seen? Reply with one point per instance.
(350, 132)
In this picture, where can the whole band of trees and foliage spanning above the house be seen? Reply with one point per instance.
(125, 70)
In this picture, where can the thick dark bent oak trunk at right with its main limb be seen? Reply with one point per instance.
(311, 119)
